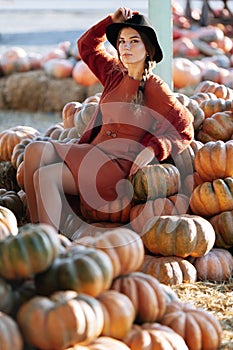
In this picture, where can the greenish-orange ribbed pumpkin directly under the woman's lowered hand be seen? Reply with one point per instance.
(154, 181)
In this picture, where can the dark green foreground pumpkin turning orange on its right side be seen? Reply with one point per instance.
(82, 269)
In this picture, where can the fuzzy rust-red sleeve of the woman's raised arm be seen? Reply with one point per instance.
(93, 52)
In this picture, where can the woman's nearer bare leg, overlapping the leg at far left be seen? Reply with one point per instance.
(53, 182)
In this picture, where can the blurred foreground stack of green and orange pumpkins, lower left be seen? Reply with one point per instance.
(57, 294)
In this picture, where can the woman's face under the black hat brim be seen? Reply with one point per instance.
(131, 47)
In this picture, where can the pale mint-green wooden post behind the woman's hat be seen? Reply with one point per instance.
(160, 15)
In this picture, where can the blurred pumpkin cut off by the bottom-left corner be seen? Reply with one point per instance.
(10, 335)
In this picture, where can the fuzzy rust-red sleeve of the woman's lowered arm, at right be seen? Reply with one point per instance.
(172, 130)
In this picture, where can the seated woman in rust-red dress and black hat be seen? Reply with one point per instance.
(139, 119)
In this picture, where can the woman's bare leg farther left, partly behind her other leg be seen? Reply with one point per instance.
(37, 154)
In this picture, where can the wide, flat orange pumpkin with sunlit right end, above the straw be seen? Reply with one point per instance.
(179, 235)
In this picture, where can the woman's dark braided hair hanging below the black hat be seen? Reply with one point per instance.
(149, 65)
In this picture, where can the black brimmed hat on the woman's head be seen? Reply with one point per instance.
(139, 23)
